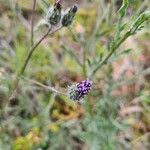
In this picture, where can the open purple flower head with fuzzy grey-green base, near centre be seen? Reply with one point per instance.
(79, 90)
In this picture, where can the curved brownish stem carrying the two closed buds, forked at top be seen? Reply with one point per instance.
(16, 81)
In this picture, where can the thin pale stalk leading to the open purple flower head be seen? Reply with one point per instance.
(49, 88)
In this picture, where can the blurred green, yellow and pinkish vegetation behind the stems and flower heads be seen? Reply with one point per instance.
(116, 113)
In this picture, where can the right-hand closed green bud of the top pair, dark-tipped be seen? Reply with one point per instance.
(68, 17)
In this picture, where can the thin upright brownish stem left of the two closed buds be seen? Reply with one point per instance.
(32, 23)
